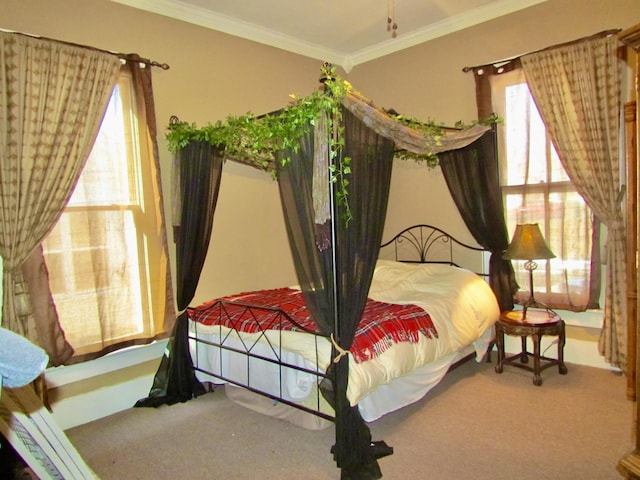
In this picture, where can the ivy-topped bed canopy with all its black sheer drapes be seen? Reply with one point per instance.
(332, 154)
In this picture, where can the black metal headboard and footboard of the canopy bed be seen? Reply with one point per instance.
(423, 239)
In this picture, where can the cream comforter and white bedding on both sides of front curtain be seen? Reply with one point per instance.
(463, 309)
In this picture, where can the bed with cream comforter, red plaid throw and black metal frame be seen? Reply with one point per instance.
(424, 314)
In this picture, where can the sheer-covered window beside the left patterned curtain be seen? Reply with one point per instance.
(105, 255)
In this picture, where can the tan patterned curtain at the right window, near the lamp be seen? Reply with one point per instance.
(577, 90)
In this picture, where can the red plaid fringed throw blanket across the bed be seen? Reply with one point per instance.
(382, 324)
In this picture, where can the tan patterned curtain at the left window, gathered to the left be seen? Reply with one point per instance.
(52, 99)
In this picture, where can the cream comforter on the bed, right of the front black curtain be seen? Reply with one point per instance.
(461, 305)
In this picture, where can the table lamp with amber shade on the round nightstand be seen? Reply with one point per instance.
(528, 244)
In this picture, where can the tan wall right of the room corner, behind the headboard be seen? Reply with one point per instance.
(427, 81)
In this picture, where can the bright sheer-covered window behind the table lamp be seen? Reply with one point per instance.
(536, 189)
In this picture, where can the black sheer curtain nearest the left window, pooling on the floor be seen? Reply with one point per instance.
(200, 166)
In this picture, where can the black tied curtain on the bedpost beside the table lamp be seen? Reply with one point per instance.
(472, 176)
